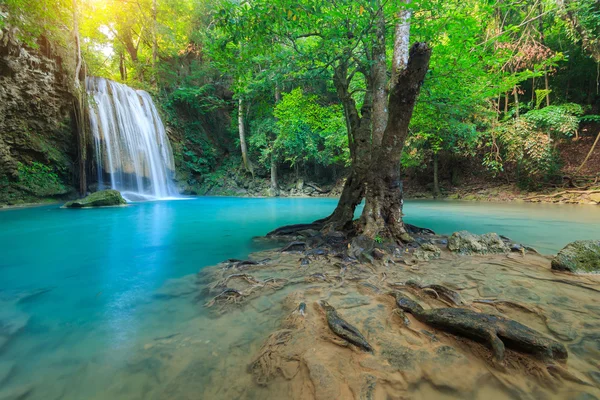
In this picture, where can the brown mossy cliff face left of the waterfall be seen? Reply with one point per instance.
(37, 147)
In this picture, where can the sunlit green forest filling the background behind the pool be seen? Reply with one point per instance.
(258, 96)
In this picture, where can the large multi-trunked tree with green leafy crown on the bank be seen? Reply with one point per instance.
(349, 41)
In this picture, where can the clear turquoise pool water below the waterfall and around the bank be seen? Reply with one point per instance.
(78, 287)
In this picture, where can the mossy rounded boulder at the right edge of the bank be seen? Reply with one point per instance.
(579, 256)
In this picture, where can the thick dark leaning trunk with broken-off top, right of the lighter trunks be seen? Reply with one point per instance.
(382, 215)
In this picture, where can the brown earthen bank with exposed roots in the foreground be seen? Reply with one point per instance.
(297, 355)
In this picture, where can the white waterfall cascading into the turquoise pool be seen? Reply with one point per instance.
(131, 148)
